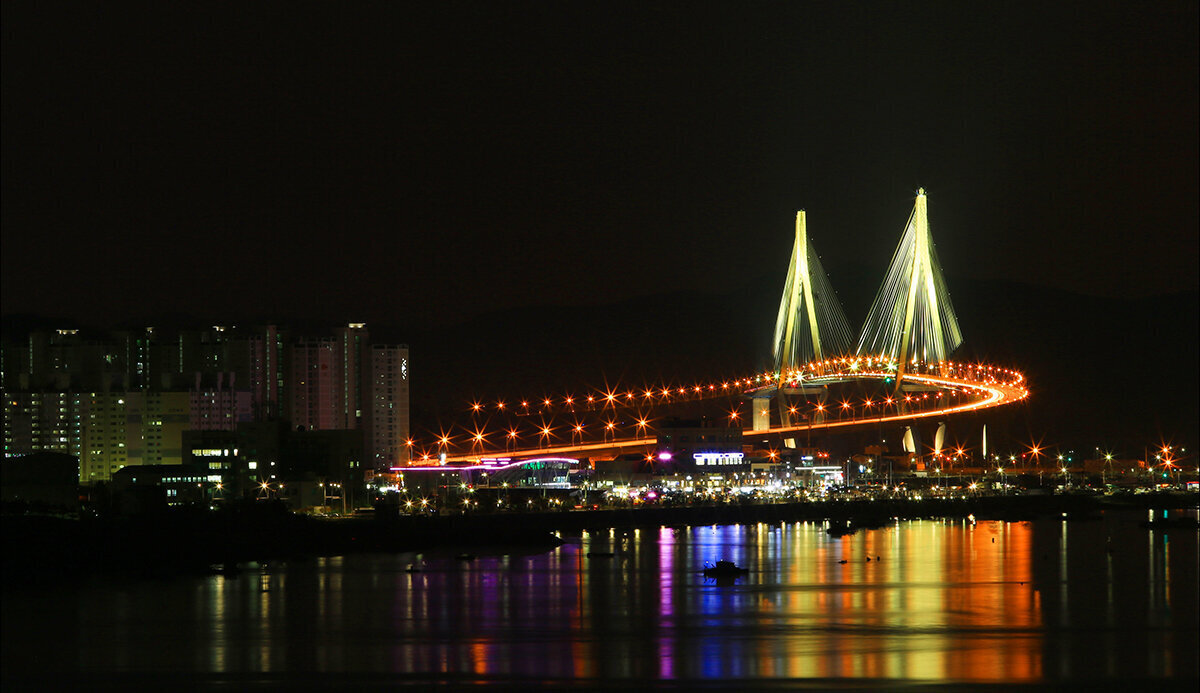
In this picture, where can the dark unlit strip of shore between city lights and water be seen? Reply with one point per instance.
(197, 543)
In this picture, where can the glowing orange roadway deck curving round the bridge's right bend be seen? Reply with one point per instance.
(994, 395)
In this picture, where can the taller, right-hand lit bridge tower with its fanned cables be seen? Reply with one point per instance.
(913, 318)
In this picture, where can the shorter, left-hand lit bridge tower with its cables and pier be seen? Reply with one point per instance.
(812, 324)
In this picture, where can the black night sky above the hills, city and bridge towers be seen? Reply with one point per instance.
(429, 164)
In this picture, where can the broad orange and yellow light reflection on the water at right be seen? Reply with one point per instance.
(939, 601)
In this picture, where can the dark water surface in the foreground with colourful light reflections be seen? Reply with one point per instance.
(931, 601)
